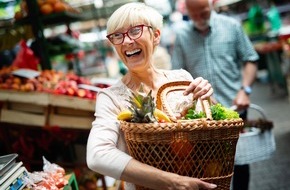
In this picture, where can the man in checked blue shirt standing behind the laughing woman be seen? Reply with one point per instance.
(215, 47)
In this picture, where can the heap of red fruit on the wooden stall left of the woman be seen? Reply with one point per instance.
(50, 81)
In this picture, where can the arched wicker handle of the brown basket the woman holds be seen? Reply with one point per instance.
(164, 90)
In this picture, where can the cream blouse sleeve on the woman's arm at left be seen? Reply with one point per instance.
(105, 146)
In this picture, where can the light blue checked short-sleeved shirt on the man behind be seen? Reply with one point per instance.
(218, 57)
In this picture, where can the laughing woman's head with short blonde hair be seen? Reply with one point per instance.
(136, 54)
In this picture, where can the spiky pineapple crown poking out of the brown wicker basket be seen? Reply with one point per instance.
(142, 107)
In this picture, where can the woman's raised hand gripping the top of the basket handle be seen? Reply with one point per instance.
(200, 88)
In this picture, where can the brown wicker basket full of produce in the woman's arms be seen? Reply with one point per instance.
(201, 148)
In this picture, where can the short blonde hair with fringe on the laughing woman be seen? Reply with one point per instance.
(133, 14)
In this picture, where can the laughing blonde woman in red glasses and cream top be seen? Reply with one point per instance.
(134, 30)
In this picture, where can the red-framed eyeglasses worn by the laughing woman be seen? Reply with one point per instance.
(133, 33)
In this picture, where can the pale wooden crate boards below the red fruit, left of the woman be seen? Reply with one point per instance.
(44, 109)
